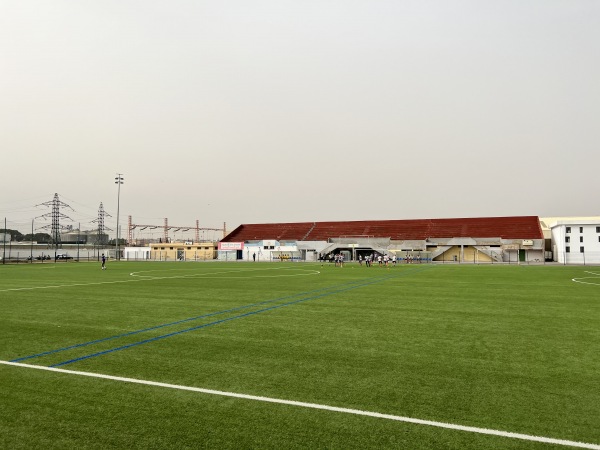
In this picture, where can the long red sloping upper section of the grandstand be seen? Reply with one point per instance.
(520, 227)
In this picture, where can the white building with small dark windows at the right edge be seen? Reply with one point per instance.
(576, 240)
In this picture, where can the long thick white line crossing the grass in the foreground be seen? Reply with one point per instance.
(486, 431)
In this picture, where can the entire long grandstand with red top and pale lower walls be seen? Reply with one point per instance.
(479, 239)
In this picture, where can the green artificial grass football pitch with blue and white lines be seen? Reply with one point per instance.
(509, 348)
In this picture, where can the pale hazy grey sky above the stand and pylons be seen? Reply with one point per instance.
(297, 111)
